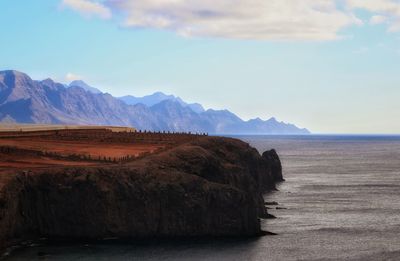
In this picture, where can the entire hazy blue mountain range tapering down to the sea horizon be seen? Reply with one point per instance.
(24, 100)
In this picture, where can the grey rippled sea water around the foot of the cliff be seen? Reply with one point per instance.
(340, 201)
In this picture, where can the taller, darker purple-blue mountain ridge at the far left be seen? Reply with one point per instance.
(27, 101)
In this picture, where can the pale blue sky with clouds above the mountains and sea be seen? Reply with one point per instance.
(332, 66)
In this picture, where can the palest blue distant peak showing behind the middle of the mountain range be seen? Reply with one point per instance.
(157, 97)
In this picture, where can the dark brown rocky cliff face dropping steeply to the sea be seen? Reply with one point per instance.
(209, 187)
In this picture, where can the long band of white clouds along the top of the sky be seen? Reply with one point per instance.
(312, 20)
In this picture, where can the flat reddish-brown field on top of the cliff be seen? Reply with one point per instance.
(46, 147)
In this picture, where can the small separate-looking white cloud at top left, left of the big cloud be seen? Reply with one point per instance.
(88, 8)
